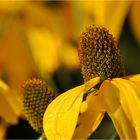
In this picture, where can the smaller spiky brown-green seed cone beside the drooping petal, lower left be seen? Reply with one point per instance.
(37, 96)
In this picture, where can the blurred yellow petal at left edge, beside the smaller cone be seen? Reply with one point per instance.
(9, 109)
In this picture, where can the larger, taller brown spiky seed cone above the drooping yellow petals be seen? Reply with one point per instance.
(99, 54)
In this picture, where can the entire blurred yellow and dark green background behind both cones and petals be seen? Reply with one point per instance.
(40, 39)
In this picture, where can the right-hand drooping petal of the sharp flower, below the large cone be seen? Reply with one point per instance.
(122, 102)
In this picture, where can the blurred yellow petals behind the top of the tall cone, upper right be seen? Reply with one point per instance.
(111, 14)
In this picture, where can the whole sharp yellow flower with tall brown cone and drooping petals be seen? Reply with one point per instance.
(78, 112)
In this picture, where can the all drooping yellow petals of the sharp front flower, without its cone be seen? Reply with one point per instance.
(119, 97)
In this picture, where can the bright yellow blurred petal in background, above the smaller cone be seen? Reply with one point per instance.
(44, 49)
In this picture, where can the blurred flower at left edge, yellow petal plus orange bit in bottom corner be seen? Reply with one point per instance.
(10, 108)
